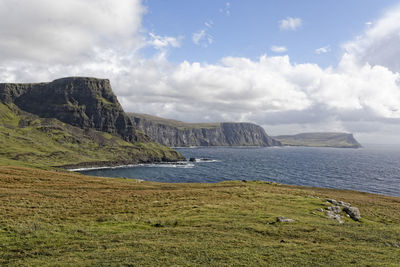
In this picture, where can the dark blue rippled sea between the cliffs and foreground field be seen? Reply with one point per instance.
(374, 169)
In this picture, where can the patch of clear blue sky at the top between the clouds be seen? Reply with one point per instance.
(249, 28)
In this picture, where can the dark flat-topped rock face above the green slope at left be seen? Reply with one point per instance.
(87, 103)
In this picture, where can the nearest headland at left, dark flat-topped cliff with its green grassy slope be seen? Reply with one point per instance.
(71, 122)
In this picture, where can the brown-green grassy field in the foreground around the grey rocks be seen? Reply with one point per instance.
(65, 219)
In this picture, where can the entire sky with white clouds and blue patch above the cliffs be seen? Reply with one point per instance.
(290, 66)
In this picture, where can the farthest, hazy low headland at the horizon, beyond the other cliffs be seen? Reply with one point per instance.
(338, 140)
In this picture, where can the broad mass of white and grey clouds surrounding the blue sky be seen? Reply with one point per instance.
(361, 95)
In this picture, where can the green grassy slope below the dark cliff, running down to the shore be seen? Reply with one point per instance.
(27, 140)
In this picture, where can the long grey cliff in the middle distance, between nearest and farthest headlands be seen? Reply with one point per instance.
(179, 134)
